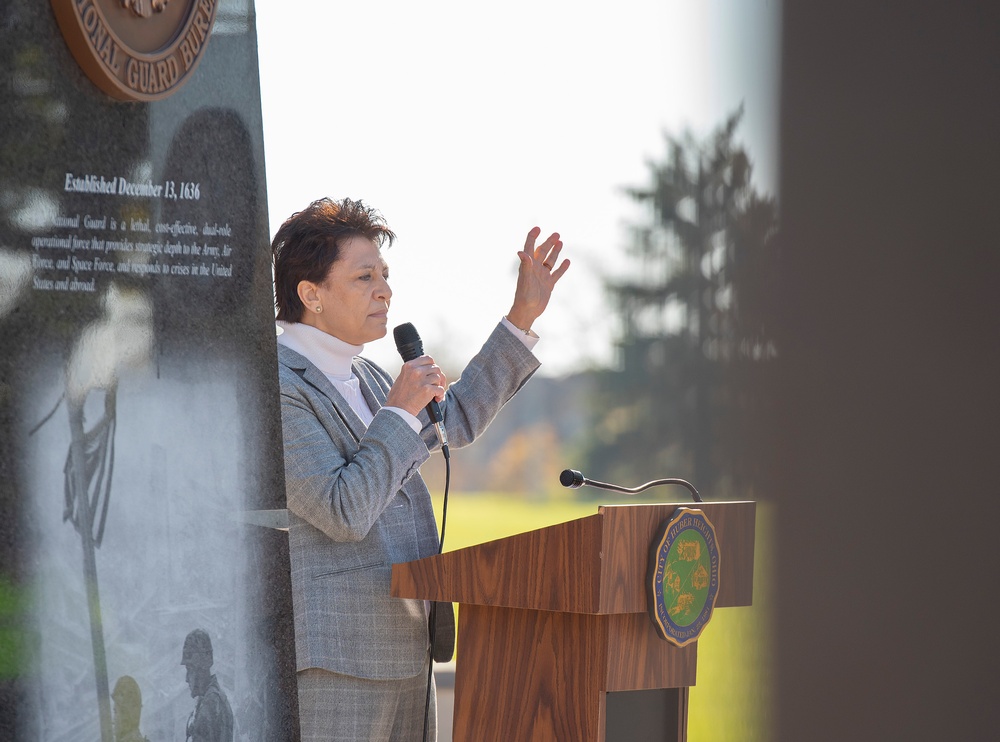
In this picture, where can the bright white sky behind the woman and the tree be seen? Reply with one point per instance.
(467, 124)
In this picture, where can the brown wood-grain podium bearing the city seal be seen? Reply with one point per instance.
(554, 639)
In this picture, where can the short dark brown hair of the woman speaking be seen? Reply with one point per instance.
(309, 241)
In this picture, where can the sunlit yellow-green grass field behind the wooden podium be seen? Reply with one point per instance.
(732, 699)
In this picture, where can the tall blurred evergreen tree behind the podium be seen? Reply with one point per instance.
(696, 315)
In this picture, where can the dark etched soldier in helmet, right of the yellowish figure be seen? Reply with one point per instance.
(212, 718)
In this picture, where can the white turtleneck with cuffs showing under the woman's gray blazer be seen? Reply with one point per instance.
(335, 359)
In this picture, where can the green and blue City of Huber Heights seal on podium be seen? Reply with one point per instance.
(682, 577)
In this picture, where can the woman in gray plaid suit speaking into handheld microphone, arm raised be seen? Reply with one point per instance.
(354, 439)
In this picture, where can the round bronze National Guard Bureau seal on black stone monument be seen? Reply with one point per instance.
(136, 50)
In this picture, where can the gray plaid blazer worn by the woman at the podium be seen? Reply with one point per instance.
(357, 504)
